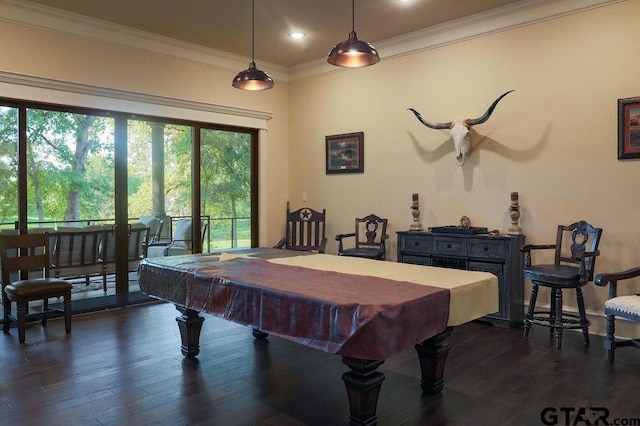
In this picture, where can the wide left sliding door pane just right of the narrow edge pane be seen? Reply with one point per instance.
(70, 193)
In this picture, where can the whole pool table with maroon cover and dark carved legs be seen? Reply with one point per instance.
(363, 310)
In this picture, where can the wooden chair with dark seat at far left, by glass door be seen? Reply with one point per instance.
(19, 256)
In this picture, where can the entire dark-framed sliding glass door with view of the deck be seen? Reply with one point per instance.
(112, 188)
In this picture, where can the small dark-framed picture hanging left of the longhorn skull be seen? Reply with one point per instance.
(345, 153)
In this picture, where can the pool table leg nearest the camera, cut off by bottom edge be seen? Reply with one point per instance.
(363, 384)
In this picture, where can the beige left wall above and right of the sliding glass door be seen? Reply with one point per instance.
(41, 53)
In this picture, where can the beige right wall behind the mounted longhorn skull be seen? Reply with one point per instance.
(554, 140)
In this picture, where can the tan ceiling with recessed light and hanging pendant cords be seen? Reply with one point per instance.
(226, 24)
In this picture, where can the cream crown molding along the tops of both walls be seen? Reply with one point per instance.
(515, 15)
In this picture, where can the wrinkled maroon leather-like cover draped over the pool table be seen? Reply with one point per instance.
(350, 315)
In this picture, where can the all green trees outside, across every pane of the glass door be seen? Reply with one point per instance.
(70, 167)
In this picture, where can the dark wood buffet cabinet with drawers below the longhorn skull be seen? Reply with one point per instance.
(498, 254)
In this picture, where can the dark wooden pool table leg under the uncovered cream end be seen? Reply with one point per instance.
(433, 356)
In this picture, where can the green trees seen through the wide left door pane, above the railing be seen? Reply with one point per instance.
(65, 182)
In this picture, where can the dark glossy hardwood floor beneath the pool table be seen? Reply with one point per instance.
(124, 367)
